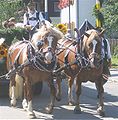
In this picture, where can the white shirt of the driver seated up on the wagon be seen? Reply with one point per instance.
(32, 22)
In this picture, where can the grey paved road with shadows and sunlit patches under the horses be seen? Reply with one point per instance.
(62, 110)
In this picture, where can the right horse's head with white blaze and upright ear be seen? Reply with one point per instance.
(92, 47)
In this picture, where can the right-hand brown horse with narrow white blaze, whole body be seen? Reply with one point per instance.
(83, 62)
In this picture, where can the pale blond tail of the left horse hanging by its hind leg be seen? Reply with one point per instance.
(18, 87)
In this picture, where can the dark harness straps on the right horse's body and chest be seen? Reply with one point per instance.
(80, 59)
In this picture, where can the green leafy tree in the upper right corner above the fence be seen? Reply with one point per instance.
(110, 12)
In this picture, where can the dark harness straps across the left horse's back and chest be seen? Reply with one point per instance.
(35, 59)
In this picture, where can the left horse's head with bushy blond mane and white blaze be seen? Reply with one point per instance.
(45, 41)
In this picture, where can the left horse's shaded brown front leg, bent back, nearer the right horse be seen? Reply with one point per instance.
(49, 108)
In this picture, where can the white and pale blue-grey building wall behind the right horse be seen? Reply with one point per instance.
(78, 12)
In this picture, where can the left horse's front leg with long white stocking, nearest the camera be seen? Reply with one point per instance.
(29, 97)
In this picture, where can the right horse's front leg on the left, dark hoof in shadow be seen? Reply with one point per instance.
(77, 109)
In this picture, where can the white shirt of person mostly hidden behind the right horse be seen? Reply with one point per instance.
(108, 49)
